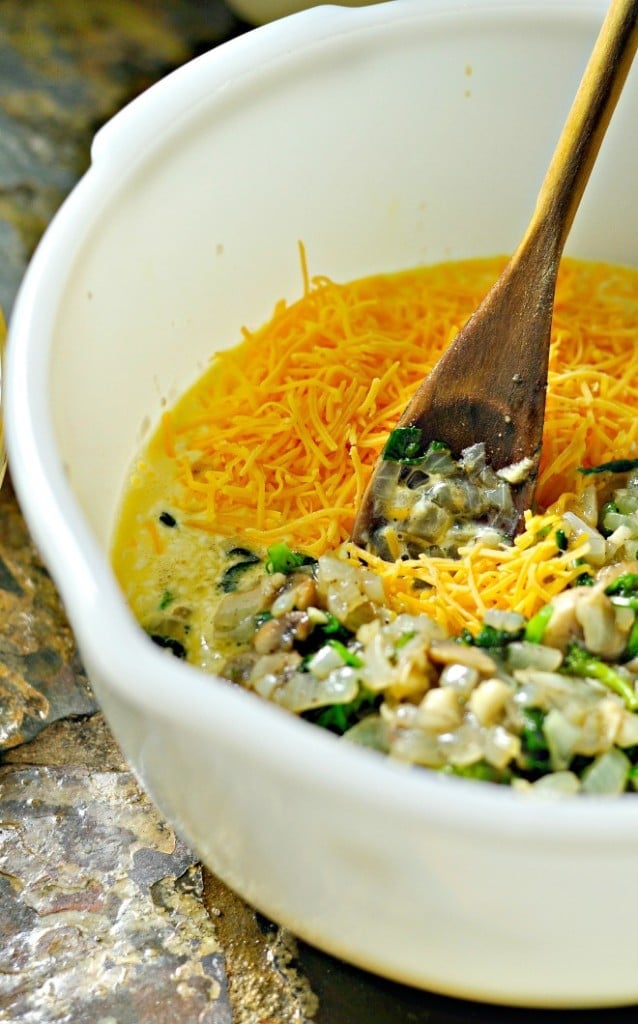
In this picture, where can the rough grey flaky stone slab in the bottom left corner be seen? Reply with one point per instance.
(103, 914)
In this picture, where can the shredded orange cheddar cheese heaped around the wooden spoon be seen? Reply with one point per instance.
(276, 443)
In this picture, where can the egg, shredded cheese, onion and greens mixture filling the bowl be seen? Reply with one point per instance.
(515, 663)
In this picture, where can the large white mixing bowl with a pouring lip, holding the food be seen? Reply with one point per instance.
(384, 138)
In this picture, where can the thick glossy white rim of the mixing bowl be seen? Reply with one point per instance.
(81, 569)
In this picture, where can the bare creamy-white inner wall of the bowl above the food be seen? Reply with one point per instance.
(415, 140)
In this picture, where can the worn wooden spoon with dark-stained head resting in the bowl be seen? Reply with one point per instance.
(491, 383)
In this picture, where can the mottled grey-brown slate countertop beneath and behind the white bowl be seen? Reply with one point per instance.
(105, 915)
